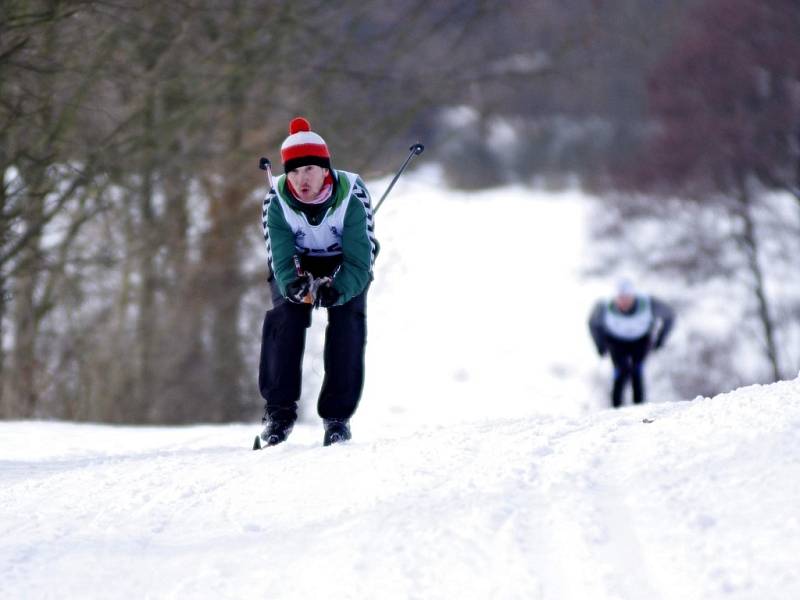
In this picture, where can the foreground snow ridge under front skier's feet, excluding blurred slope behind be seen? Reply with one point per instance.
(699, 504)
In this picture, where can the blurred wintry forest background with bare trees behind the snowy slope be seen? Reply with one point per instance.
(130, 133)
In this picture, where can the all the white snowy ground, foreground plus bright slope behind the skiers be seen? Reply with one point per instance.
(484, 463)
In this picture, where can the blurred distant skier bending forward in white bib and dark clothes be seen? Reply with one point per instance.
(628, 326)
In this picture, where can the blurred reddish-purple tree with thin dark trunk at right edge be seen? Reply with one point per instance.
(725, 125)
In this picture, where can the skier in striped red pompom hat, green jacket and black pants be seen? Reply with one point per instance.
(321, 247)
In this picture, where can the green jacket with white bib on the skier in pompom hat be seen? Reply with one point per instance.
(337, 236)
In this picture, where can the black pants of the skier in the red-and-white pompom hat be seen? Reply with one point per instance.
(283, 343)
